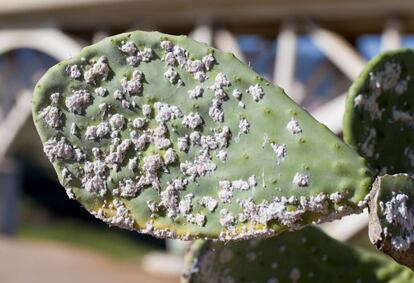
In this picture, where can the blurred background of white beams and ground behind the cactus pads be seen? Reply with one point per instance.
(313, 49)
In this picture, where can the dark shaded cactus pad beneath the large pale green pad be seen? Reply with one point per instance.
(307, 255)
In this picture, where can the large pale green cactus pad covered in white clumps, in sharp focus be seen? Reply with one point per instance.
(167, 136)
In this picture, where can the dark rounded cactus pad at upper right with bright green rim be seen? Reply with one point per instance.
(379, 116)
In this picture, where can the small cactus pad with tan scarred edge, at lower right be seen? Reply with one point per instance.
(391, 211)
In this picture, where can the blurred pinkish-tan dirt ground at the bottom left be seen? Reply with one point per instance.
(23, 261)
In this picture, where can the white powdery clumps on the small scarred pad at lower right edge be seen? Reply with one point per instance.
(399, 215)
